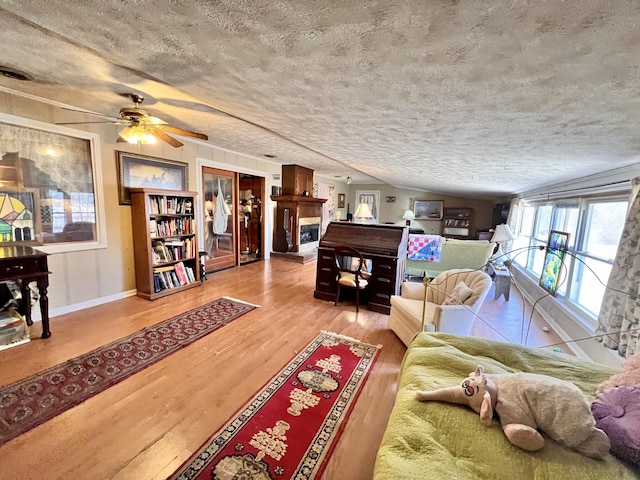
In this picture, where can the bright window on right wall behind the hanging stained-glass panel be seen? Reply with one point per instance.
(594, 226)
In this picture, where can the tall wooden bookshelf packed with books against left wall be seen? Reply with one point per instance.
(164, 241)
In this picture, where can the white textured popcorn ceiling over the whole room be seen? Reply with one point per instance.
(480, 98)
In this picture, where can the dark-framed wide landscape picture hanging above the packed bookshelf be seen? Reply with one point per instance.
(141, 171)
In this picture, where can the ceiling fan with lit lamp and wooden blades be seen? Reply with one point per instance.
(141, 127)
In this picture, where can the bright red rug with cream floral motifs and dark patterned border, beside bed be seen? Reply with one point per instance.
(289, 428)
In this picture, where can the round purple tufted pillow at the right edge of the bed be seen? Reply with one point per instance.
(617, 412)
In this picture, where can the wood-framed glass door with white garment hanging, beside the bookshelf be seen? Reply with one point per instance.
(220, 199)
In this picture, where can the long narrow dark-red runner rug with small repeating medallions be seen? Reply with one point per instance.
(29, 402)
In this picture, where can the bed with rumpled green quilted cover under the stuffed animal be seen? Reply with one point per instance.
(435, 440)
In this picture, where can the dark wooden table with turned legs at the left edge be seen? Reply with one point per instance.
(24, 264)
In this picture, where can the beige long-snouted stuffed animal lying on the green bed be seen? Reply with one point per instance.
(526, 403)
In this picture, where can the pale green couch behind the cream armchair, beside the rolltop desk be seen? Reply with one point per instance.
(453, 253)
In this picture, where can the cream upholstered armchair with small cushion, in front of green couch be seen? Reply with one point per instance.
(445, 306)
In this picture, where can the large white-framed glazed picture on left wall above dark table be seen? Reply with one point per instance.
(51, 186)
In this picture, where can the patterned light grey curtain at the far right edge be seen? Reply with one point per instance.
(619, 317)
